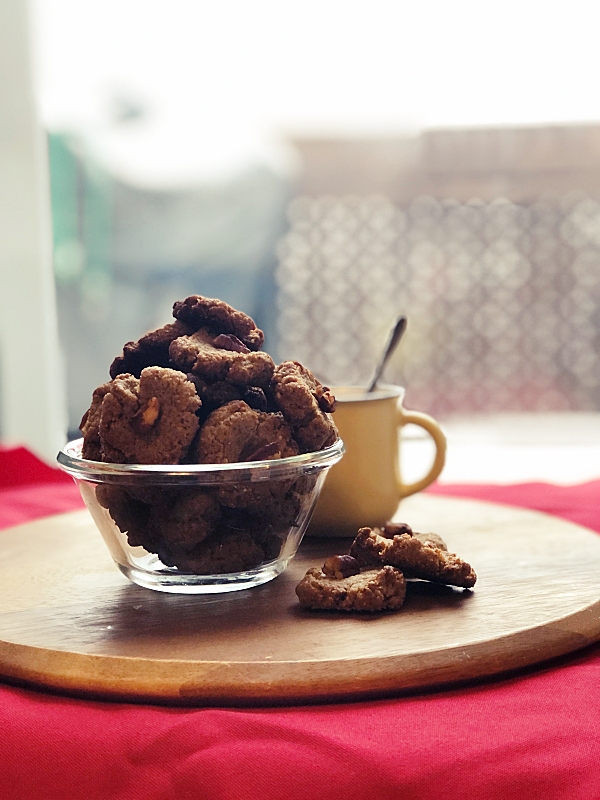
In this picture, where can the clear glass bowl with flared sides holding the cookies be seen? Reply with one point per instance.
(201, 528)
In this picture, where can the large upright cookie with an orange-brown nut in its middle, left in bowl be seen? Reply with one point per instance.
(148, 421)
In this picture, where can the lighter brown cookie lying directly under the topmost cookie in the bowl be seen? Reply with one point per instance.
(214, 358)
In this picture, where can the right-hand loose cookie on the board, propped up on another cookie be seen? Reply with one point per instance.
(416, 558)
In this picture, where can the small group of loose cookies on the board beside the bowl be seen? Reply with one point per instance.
(372, 577)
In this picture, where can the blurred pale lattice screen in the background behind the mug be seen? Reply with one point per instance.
(503, 300)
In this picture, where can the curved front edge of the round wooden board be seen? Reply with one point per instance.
(139, 680)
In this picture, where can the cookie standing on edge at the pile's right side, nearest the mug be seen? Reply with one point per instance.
(306, 404)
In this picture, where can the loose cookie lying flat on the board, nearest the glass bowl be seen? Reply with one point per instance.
(381, 589)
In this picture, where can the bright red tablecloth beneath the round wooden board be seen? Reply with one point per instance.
(532, 736)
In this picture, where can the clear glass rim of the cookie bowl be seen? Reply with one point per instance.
(69, 459)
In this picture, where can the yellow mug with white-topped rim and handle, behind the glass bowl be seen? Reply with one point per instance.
(365, 487)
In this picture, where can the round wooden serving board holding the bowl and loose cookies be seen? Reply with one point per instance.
(70, 621)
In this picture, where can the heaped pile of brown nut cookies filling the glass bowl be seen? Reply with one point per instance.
(201, 391)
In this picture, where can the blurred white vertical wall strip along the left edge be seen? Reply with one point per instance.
(32, 404)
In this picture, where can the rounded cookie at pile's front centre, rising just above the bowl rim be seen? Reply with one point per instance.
(235, 432)
